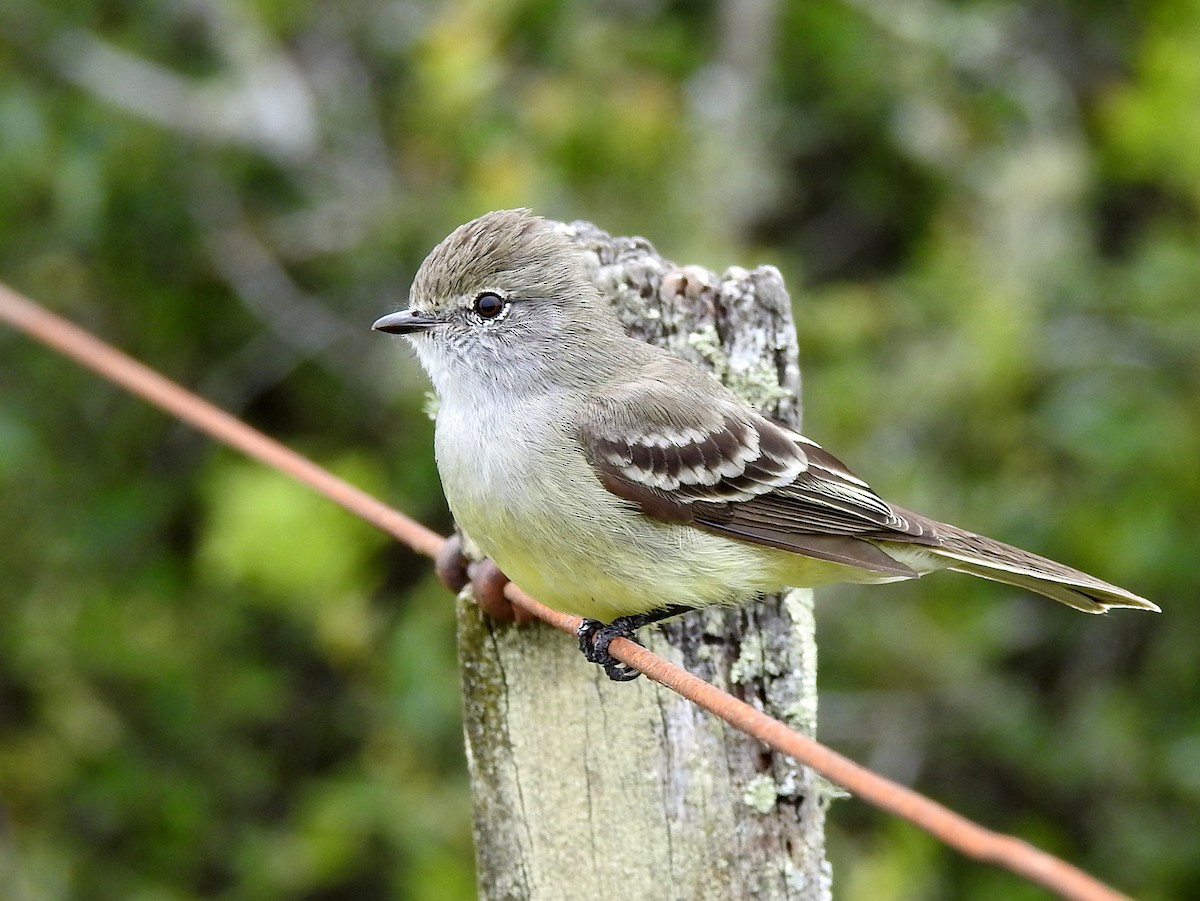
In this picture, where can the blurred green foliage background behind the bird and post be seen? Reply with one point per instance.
(215, 686)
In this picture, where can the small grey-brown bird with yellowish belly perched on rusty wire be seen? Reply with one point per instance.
(616, 482)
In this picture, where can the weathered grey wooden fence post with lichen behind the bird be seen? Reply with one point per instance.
(585, 788)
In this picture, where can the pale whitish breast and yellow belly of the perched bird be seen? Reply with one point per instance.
(532, 503)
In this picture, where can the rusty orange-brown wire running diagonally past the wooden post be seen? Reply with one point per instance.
(956, 831)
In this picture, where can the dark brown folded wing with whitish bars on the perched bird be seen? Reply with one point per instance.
(724, 468)
